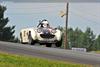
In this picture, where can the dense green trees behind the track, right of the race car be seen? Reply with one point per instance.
(79, 39)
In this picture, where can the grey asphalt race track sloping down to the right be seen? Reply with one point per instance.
(50, 53)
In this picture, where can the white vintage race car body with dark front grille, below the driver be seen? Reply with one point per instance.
(45, 36)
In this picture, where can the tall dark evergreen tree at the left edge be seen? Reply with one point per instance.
(6, 33)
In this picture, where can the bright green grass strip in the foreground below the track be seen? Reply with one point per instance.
(10, 60)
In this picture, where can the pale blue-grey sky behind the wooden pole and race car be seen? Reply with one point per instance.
(27, 14)
